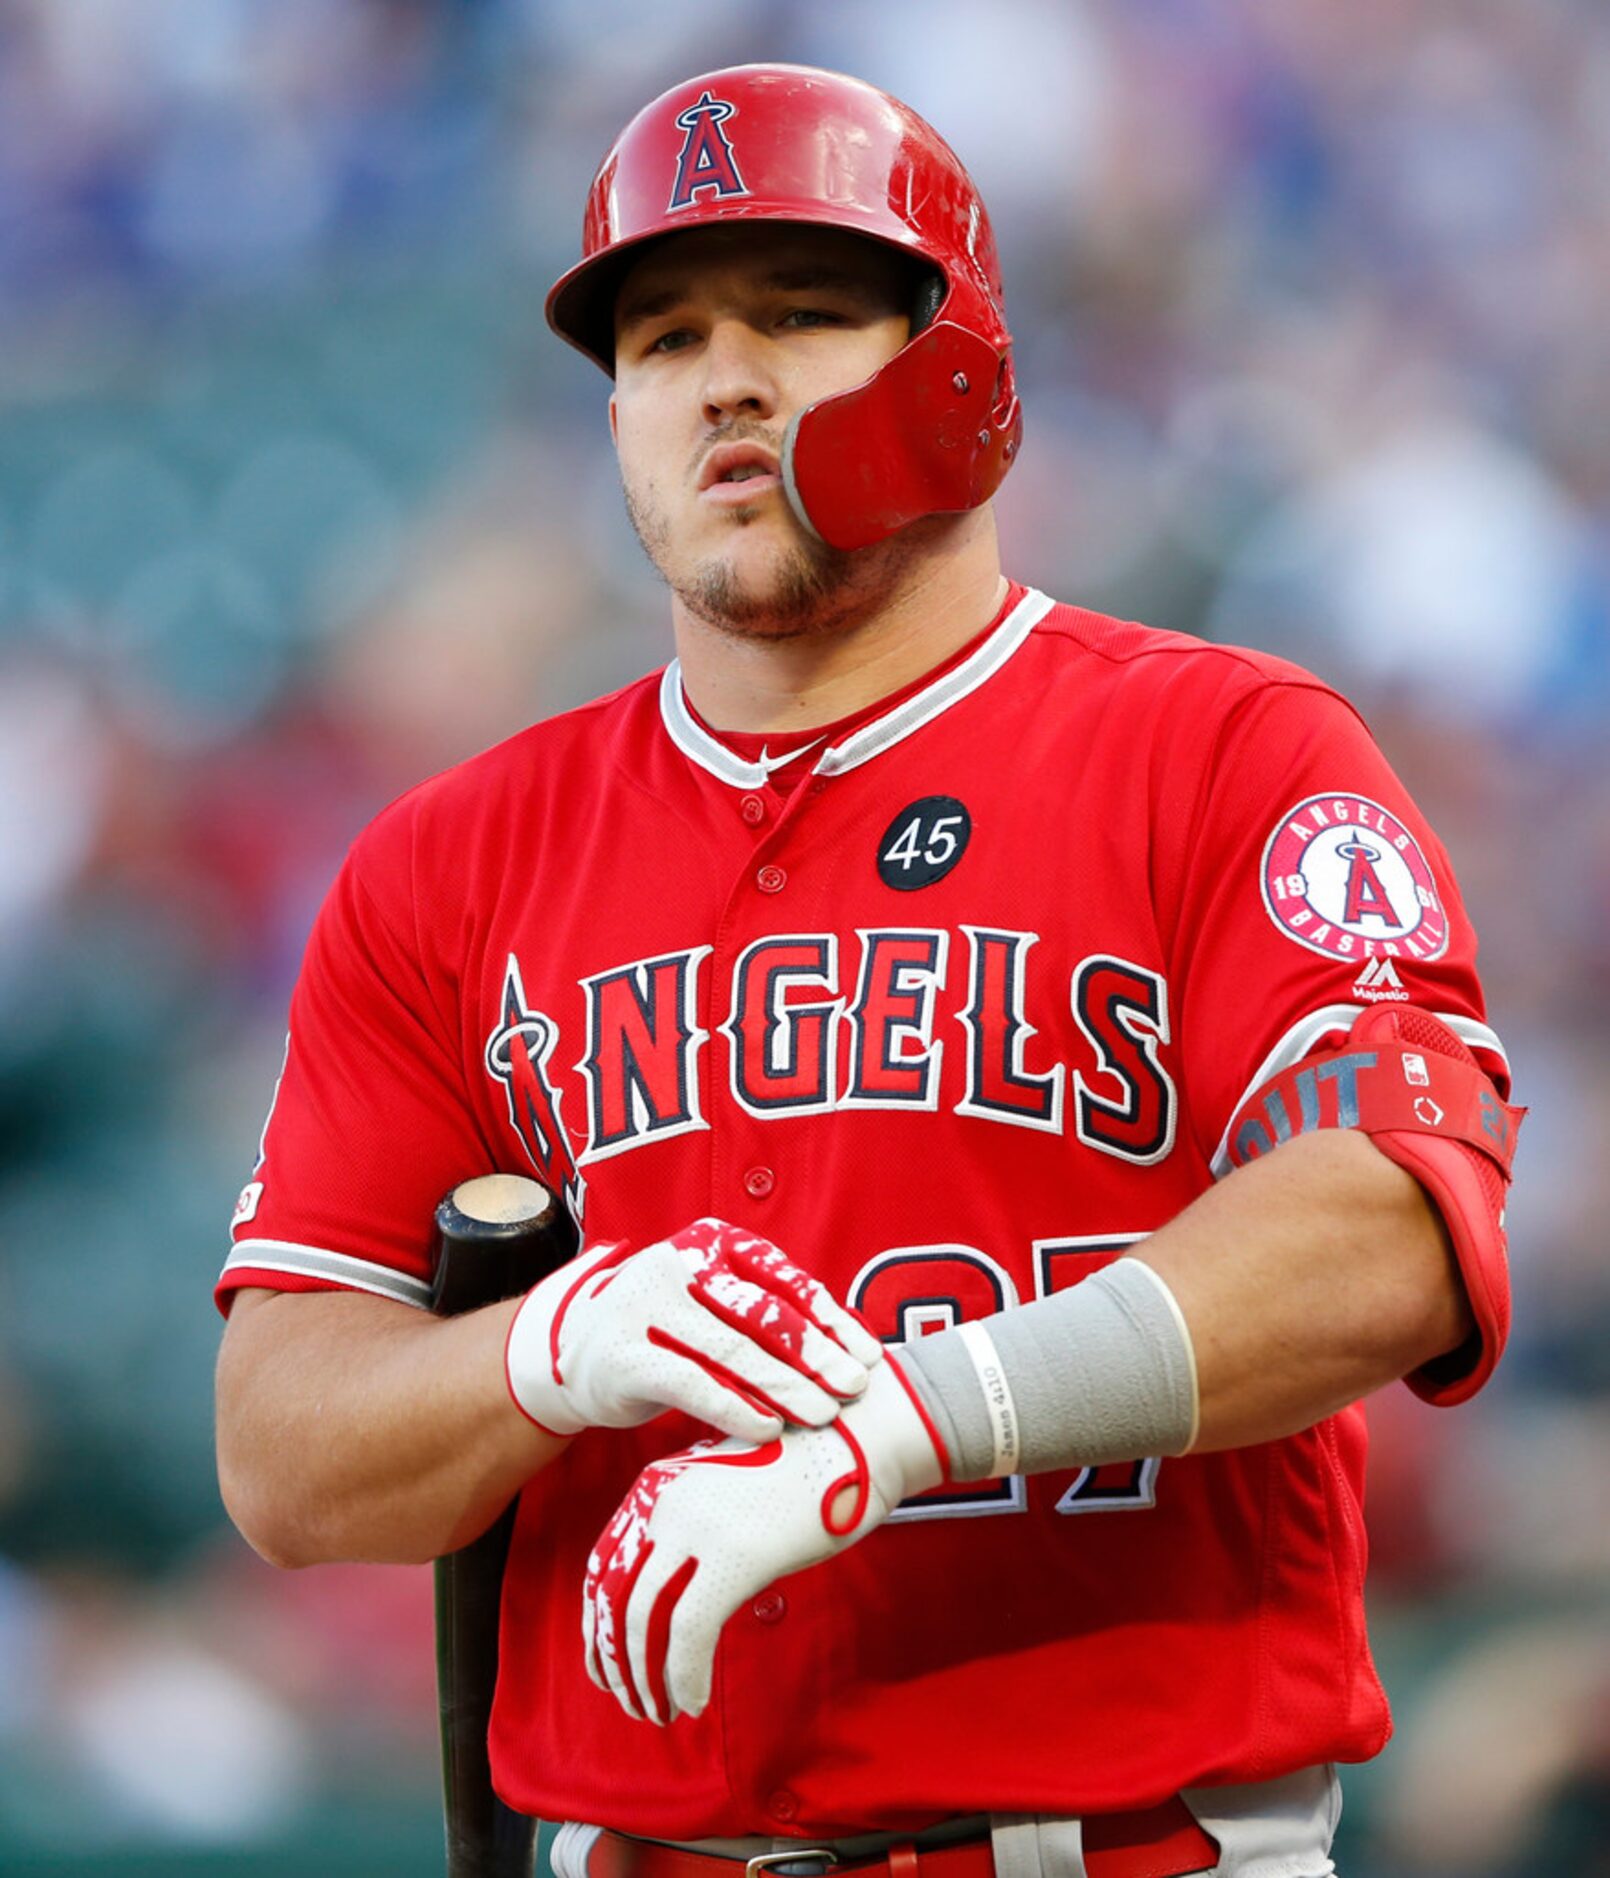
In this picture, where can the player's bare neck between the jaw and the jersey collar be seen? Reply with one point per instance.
(797, 685)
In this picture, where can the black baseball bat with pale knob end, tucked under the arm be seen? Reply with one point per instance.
(495, 1239)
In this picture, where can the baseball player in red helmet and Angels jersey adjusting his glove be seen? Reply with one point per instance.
(1021, 1079)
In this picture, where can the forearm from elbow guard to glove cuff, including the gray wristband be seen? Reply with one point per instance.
(1295, 1287)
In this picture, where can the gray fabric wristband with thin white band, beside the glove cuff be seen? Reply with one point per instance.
(1102, 1372)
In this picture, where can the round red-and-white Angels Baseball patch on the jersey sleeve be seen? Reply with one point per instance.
(1346, 878)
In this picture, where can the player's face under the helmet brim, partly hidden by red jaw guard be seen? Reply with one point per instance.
(722, 335)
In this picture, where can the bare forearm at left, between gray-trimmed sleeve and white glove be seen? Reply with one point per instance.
(356, 1428)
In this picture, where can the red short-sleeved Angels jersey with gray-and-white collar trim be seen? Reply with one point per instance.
(955, 1021)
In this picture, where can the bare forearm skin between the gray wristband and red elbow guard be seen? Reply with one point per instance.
(1308, 1280)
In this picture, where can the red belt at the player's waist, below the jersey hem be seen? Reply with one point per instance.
(1154, 1843)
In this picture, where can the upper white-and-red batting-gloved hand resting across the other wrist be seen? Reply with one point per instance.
(713, 1321)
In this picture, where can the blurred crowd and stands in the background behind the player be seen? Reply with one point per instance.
(300, 502)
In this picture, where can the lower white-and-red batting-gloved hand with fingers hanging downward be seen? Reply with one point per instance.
(705, 1530)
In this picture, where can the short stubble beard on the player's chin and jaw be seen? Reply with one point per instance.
(809, 591)
